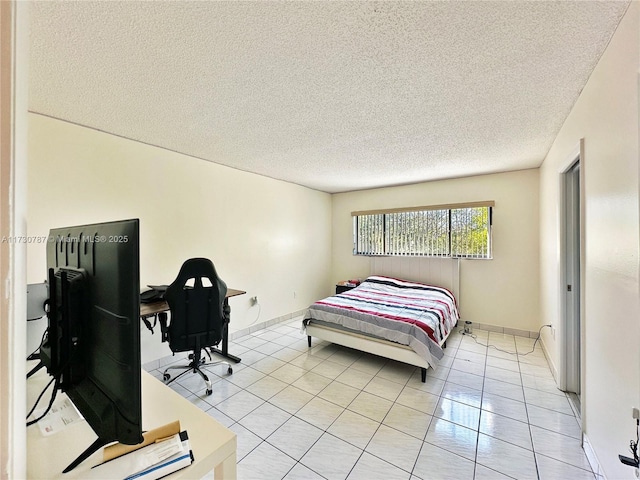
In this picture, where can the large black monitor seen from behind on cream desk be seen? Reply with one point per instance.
(92, 346)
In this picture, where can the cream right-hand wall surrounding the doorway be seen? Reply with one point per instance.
(606, 116)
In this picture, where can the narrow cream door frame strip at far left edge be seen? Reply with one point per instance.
(14, 65)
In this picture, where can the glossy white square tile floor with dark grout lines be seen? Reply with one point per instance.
(332, 412)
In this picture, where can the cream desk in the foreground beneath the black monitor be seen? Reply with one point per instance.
(213, 445)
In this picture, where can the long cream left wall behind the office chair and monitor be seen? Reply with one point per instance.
(267, 237)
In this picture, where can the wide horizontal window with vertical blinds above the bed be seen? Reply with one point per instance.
(459, 231)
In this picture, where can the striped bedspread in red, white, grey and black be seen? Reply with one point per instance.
(414, 314)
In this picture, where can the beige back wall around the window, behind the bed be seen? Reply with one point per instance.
(502, 291)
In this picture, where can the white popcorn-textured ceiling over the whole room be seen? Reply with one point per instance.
(336, 96)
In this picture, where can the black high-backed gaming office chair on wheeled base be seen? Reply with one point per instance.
(196, 302)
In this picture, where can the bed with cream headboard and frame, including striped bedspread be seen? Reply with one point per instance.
(404, 310)
